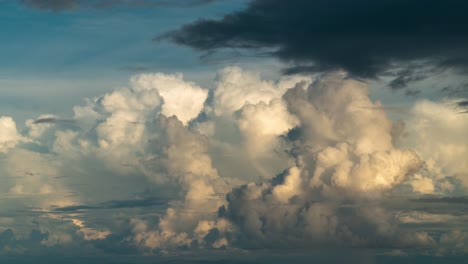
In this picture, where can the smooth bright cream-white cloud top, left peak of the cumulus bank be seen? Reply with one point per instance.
(181, 98)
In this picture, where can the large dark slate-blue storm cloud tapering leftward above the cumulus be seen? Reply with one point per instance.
(364, 37)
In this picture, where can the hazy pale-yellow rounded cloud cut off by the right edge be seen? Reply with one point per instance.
(438, 133)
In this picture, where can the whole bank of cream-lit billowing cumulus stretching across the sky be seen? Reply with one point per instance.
(325, 153)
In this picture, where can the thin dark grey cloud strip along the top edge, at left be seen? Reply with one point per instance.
(62, 5)
